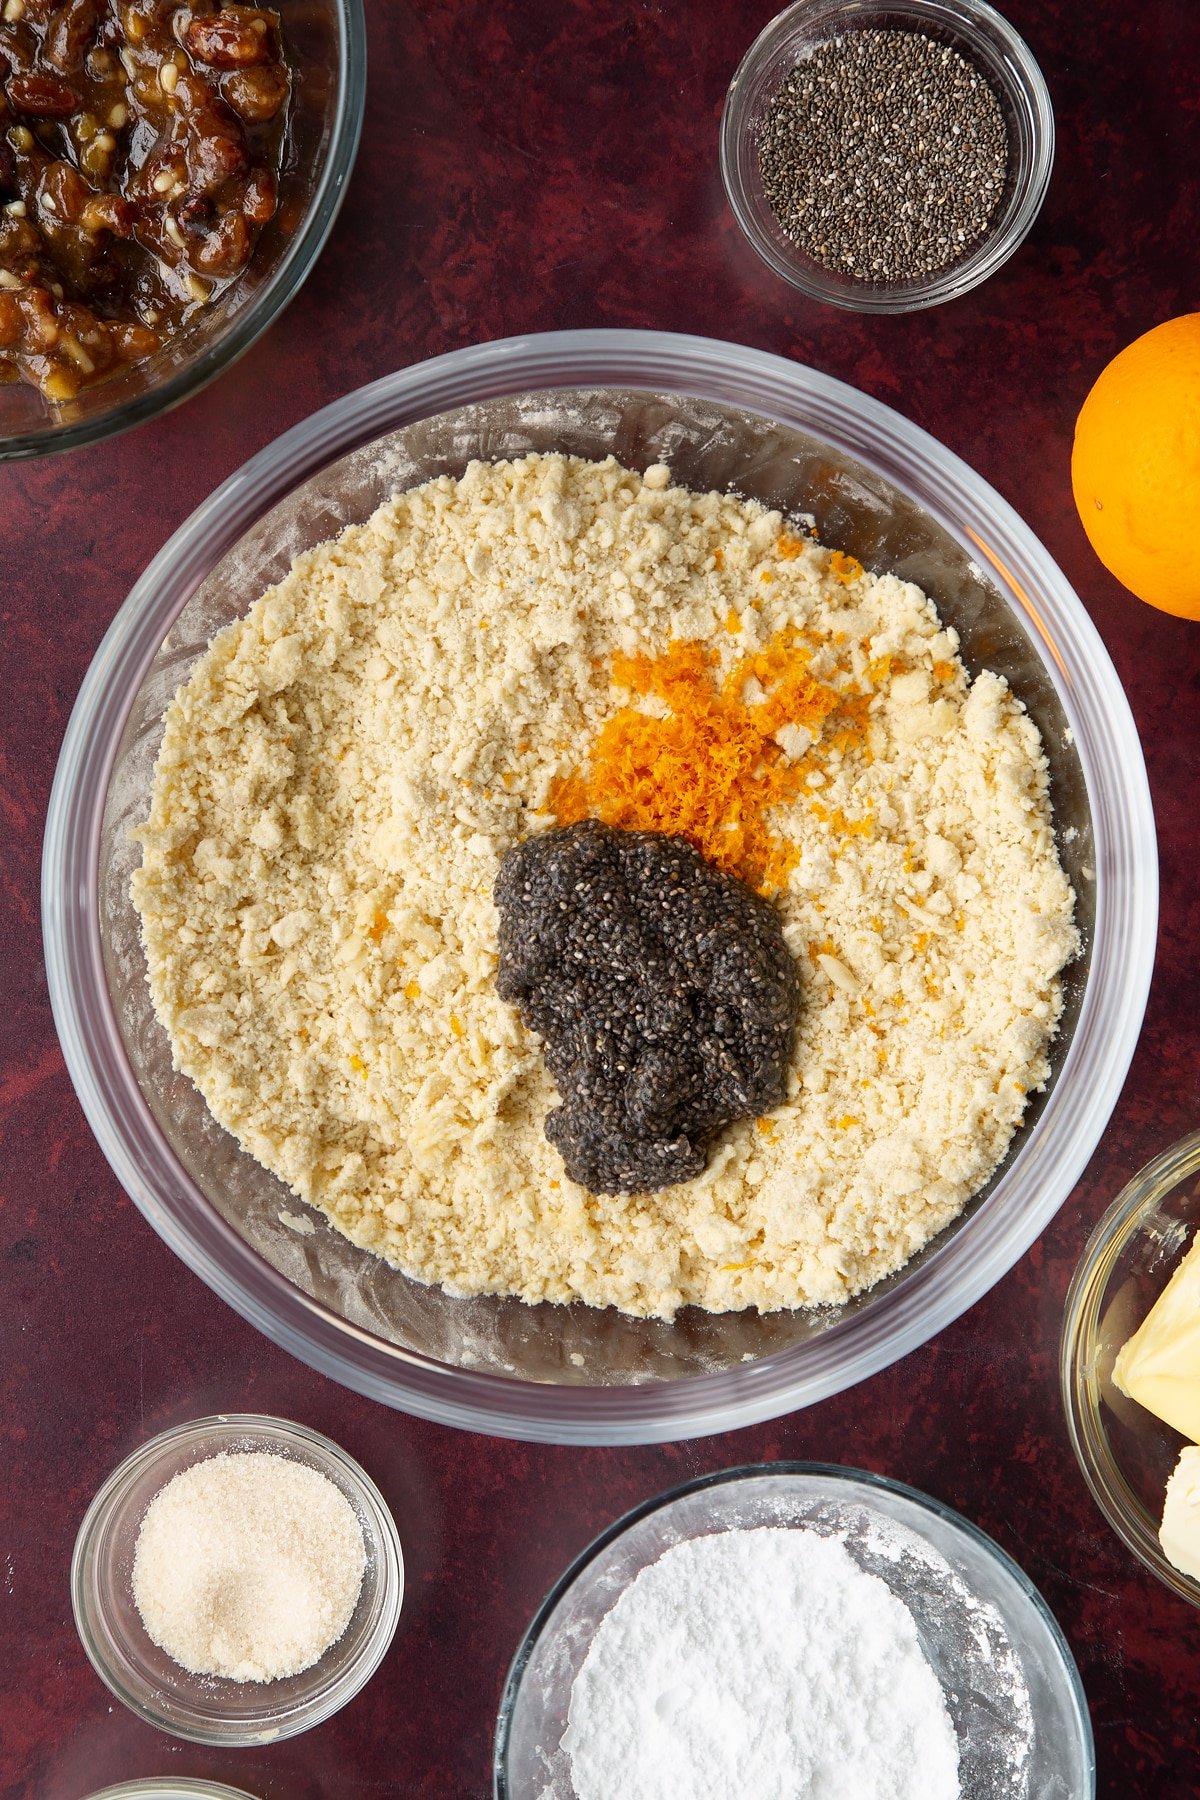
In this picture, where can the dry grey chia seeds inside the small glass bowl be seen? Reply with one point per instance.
(884, 156)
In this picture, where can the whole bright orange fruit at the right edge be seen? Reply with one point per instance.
(1136, 467)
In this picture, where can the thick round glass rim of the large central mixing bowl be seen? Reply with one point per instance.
(1104, 1041)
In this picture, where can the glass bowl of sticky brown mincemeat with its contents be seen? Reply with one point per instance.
(166, 184)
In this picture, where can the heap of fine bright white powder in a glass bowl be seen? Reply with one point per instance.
(760, 1662)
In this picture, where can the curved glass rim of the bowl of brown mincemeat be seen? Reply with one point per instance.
(278, 291)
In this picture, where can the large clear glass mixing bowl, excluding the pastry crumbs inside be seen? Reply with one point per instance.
(722, 418)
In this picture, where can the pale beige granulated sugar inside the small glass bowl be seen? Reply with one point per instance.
(247, 1567)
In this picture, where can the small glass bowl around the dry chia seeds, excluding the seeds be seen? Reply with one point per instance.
(1023, 82)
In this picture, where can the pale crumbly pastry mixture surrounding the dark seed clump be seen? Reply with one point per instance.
(350, 762)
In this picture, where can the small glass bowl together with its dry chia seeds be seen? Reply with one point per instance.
(888, 156)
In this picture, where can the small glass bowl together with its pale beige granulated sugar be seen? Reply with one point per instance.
(168, 1495)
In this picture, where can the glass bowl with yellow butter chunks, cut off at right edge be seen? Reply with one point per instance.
(1131, 1367)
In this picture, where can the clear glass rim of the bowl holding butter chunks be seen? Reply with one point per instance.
(1082, 1403)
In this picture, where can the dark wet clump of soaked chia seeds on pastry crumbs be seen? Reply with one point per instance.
(663, 991)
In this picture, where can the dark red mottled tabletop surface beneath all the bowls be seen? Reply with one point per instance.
(532, 165)
